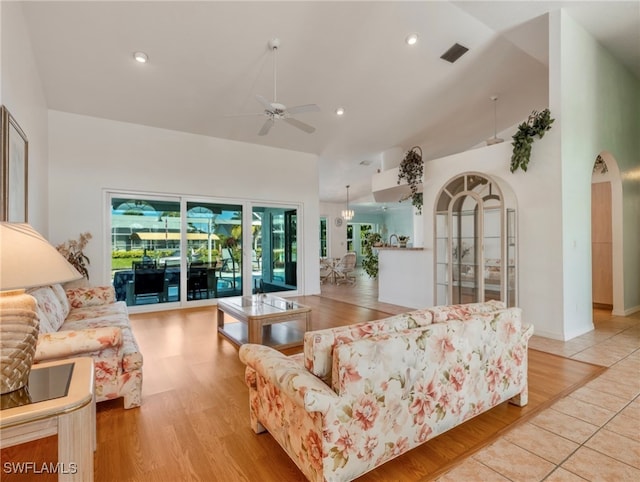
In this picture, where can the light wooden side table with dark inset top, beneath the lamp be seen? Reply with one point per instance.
(60, 401)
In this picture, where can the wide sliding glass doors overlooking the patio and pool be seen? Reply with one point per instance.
(185, 250)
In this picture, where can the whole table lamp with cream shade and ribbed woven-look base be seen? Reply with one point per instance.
(26, 260)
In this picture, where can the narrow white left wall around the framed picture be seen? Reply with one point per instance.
(22, 94)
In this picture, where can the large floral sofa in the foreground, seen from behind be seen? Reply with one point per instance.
(363, 394)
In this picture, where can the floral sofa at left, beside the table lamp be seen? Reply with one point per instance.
(89, 322)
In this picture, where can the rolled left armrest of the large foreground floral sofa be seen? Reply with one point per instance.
(290, 377)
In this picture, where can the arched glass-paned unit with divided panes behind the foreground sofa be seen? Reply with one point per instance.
(475, 245)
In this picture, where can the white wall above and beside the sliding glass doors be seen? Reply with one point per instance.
(90, 156)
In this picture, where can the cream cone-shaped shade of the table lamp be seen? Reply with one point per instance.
(28, 260)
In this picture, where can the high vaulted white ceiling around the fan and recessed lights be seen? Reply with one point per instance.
(208, 60)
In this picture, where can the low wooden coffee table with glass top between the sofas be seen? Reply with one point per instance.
(264, 319)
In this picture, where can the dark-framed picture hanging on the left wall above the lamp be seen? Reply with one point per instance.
(13, 169)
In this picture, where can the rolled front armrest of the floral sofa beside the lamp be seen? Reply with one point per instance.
(70, 343)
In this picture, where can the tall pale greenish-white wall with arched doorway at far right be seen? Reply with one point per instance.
(597, 105)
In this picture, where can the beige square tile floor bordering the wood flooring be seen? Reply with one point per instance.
(593, 434)
